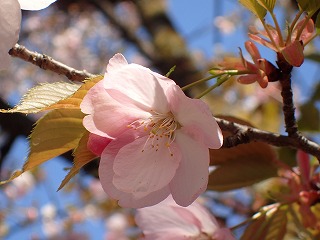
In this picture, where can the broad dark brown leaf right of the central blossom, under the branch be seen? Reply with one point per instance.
(242, 165)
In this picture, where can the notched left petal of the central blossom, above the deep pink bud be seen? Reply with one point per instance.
(108, 118)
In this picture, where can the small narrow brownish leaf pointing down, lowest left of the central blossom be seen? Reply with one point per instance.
(82, 156)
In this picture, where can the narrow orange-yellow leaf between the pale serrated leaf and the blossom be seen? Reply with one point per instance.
(73, 102)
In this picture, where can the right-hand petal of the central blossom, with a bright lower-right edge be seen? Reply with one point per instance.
(195, 117)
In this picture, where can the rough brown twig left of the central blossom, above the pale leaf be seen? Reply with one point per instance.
(48, 63)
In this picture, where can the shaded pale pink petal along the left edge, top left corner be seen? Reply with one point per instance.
(10, 20)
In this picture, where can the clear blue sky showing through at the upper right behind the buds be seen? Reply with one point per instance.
(195, 22)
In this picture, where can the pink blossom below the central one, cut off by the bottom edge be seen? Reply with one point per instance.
(169, 221)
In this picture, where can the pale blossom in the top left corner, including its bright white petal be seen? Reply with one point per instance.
(10, 20)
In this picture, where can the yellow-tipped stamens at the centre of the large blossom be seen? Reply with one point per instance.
(159, 126)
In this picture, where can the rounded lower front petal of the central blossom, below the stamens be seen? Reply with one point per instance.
(141, 167)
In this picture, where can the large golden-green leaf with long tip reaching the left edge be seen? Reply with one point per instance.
(55, 133)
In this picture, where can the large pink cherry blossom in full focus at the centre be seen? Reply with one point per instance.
(158, 137)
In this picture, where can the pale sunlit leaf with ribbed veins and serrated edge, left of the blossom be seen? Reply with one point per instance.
(42, 96)
